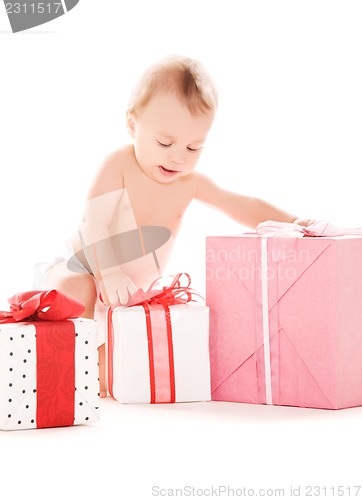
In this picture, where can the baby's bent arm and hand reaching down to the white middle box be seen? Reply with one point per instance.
(102, 201)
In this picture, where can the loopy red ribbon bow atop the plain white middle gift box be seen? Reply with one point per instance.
(175, 293)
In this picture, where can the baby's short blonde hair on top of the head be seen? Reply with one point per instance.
(183, 76)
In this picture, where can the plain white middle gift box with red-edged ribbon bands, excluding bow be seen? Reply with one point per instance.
(150, 362)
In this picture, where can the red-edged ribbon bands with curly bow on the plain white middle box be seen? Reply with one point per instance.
(154, 298)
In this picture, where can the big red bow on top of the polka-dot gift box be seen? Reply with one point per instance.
(45, 305)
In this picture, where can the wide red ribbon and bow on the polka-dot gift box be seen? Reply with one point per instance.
(55, 348)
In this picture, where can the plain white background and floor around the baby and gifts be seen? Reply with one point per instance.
(288, 130)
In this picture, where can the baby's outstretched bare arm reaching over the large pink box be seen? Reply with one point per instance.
(246, 210)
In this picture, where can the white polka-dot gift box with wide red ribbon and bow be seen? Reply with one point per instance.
(48, 363)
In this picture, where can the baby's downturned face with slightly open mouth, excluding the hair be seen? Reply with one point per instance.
(168, 140)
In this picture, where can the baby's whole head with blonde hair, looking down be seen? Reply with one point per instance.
(169, 117)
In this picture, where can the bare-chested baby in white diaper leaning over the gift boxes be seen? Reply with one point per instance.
(140, 193)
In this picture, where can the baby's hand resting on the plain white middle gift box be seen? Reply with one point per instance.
(116, 288)
